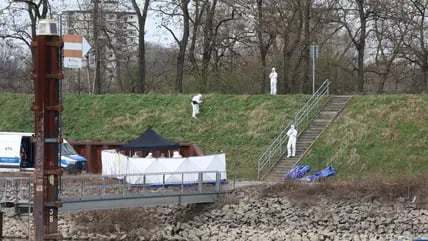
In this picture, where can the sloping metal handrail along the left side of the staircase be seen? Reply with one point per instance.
(278, 148)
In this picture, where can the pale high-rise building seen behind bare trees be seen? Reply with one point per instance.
(115, 36)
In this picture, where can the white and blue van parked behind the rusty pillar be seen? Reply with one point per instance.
(17, 154)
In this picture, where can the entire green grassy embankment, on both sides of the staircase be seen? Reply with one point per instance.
(380, 136)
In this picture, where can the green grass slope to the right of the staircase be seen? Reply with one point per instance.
(376, 136)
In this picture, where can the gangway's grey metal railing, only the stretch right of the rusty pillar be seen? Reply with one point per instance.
(95, 187)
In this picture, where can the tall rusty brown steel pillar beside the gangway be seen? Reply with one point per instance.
(47, 108)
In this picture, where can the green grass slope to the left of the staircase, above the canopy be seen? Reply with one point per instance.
(241, 126)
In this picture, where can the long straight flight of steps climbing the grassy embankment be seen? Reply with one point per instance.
(308, 137)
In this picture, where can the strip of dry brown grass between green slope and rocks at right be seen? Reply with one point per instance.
(413, 189)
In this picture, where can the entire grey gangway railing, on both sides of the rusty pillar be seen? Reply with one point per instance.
(101, 187)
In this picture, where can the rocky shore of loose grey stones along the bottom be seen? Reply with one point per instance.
(258, 213)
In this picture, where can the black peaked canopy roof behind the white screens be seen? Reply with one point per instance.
(150, 141)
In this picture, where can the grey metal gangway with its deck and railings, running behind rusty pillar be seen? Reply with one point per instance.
(91, 192)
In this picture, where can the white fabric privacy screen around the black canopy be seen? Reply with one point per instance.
(158, 171)
